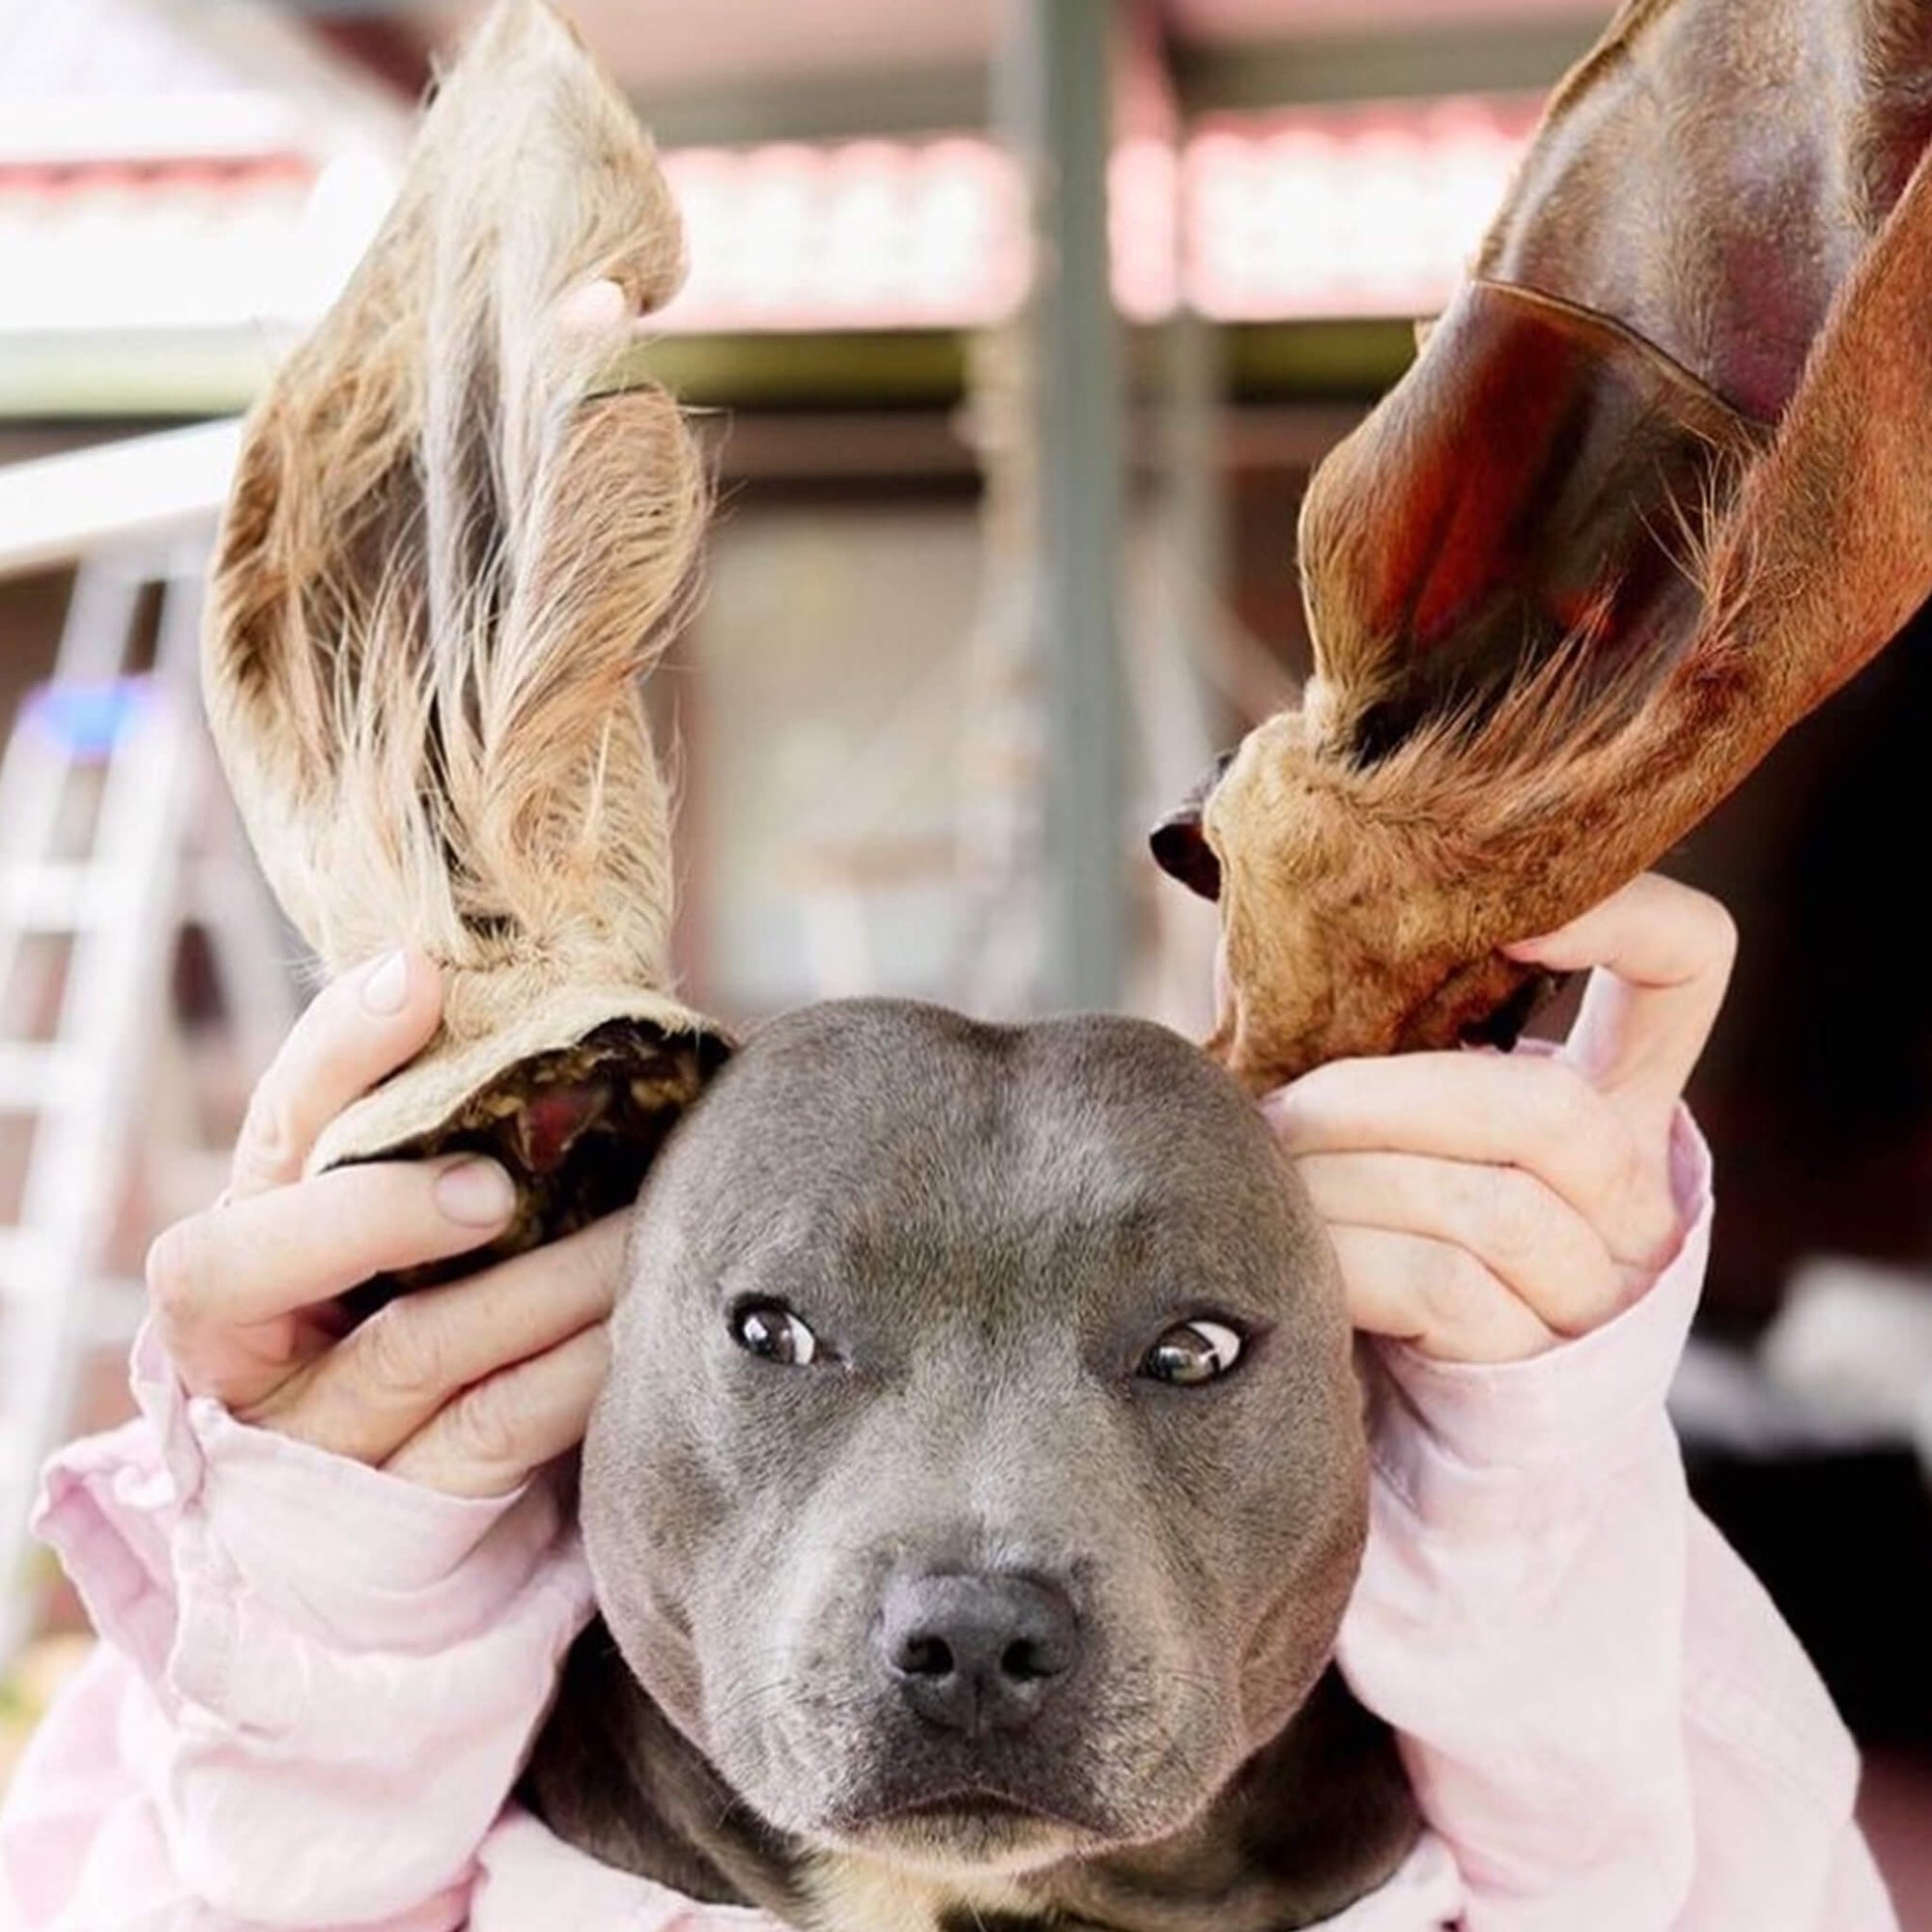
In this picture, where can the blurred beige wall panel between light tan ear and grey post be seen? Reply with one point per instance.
(824, 745)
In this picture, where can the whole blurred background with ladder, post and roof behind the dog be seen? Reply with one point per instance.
(1017, 329)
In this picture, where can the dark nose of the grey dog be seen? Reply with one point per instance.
(977, 1653)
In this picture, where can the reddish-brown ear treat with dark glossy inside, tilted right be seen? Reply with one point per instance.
(1651, 492)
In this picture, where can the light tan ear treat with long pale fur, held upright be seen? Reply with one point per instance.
(459, 538)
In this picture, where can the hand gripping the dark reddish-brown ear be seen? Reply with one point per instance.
(1489, 1207)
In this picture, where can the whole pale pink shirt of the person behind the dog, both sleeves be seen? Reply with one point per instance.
(318, 1682)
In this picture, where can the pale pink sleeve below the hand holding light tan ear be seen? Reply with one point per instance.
(314, 1693)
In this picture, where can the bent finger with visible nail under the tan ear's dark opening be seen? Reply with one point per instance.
(223, 1280)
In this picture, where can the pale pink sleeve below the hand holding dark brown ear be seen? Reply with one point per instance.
(1603, 1713)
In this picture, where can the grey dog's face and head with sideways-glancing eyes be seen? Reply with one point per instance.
(980, 1475)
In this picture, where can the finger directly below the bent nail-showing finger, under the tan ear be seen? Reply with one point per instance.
(389, 1378)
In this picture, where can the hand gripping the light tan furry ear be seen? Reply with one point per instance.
(467, 1388)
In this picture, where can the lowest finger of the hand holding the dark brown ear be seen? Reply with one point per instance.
(1435, 1297)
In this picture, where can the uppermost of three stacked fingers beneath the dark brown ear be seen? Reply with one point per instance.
(1541, 1116)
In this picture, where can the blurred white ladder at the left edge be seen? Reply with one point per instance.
(105, 791)
